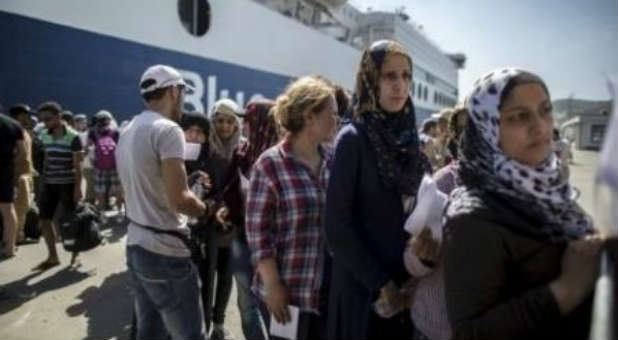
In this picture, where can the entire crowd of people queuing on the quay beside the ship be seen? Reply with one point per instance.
(302, 200)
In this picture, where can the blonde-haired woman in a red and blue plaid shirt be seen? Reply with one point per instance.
(285, 207)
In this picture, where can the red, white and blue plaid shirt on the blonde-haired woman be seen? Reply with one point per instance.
(284, 221)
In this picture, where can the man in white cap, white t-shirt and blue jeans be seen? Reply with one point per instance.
(150, 163)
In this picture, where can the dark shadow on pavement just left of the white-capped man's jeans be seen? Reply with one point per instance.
(108, 308)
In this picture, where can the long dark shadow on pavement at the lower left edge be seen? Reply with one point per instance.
(19, 292)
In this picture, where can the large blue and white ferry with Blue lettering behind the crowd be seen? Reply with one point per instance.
(89, 55)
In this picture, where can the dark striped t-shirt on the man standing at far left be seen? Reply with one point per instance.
(58, 167)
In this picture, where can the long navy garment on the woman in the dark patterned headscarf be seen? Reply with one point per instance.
(364, 232)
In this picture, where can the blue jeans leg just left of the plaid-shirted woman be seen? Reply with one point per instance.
(247, 302)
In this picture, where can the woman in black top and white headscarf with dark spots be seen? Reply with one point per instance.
(514, 223)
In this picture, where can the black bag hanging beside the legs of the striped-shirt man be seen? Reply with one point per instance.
(80, 231)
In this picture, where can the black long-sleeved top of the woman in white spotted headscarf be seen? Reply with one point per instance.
(497, 280)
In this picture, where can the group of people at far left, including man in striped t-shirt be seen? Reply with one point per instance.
(59, 146)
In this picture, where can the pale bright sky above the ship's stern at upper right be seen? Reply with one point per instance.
(571, 44)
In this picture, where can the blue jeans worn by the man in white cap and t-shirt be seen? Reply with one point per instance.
(167, 296)
